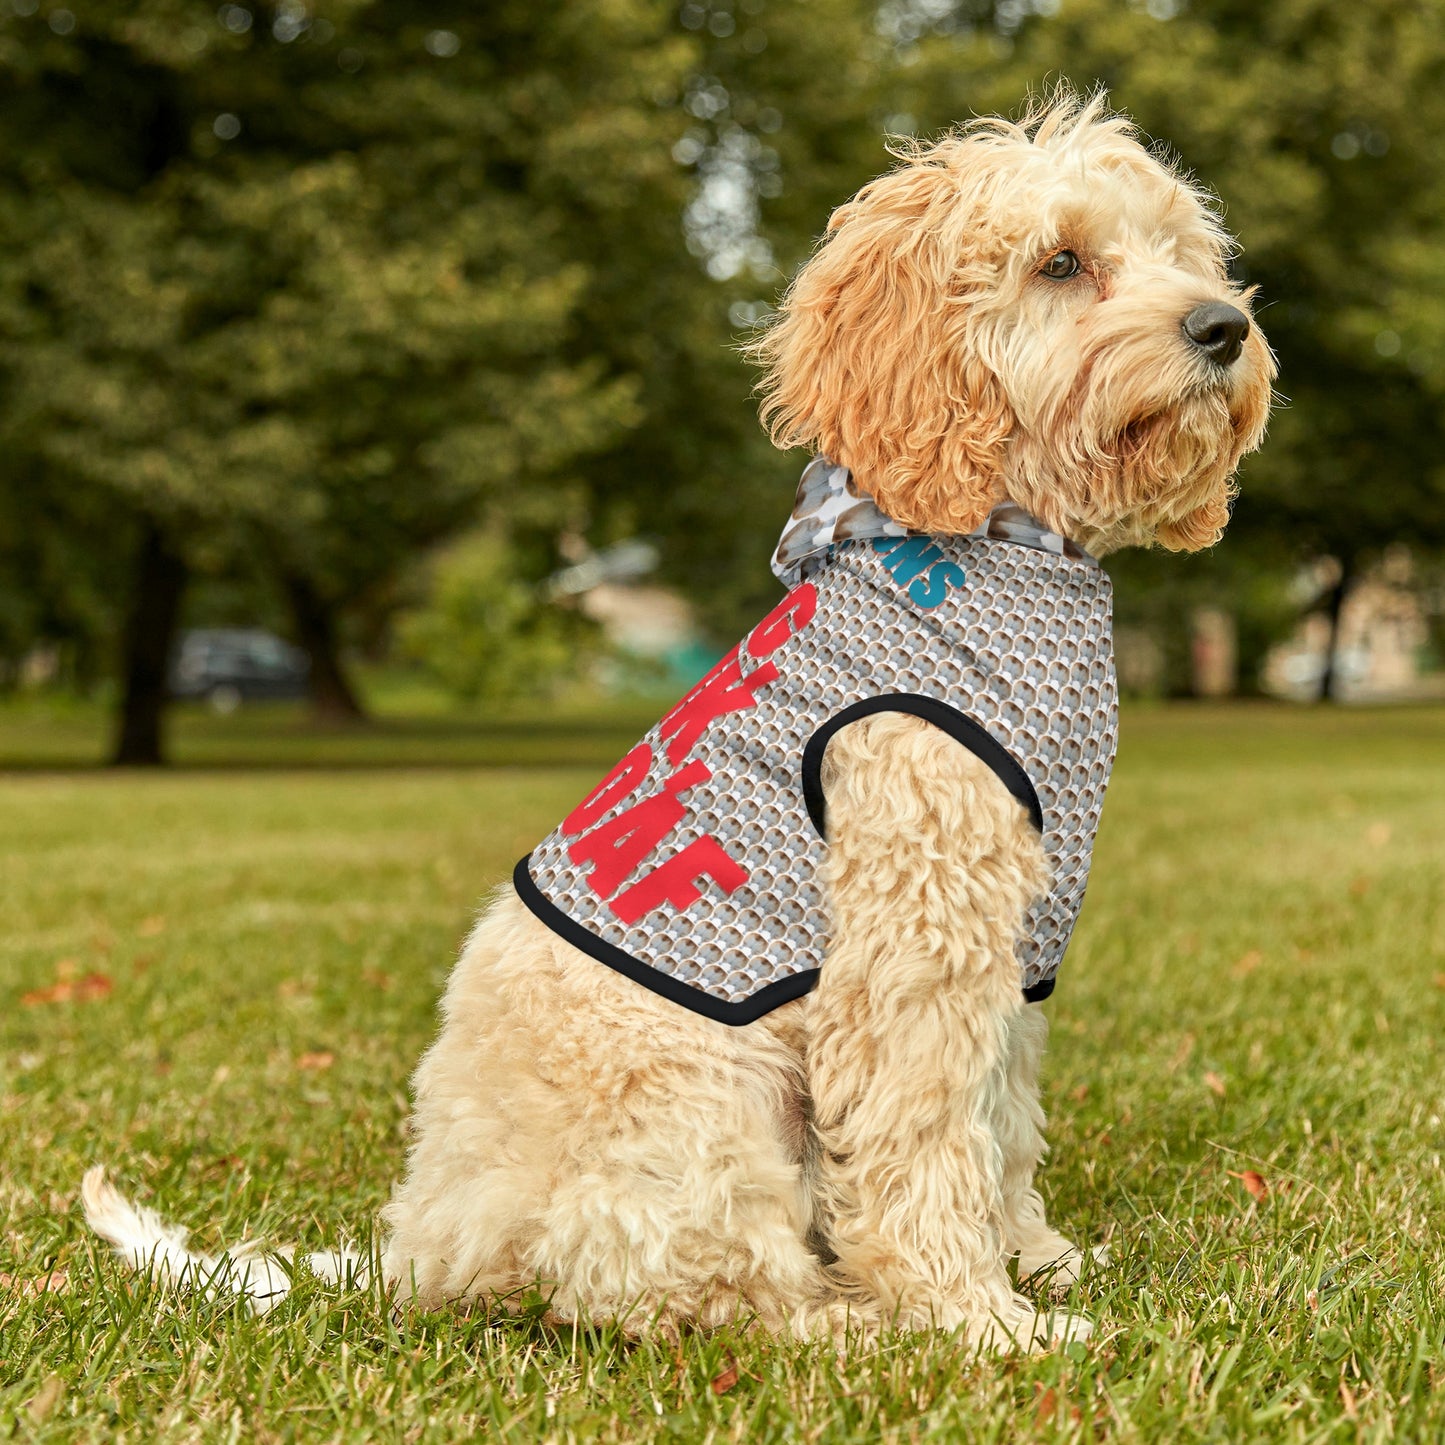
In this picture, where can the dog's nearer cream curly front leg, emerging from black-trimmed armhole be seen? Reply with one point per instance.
(931, 869)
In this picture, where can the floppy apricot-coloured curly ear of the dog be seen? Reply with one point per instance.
(874, 359)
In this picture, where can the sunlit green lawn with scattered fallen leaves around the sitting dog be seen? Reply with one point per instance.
(232, 972)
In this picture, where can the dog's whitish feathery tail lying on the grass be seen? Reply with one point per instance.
(147, 1243)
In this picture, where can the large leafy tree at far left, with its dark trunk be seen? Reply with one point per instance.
(301, 287)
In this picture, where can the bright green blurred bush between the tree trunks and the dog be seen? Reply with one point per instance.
(485, 634)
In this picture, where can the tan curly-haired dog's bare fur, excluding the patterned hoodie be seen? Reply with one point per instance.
(1037, 313)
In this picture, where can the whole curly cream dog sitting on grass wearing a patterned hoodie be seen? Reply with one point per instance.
(806, 1092)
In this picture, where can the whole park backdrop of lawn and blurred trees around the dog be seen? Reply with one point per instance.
(408, 333)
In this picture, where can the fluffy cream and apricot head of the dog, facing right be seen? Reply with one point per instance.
(1038, 313)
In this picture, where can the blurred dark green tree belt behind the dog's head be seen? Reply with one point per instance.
(294, 294)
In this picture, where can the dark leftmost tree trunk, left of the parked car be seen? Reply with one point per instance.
(151, 628)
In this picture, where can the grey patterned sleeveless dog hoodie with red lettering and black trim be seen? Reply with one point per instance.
(694, 866)
